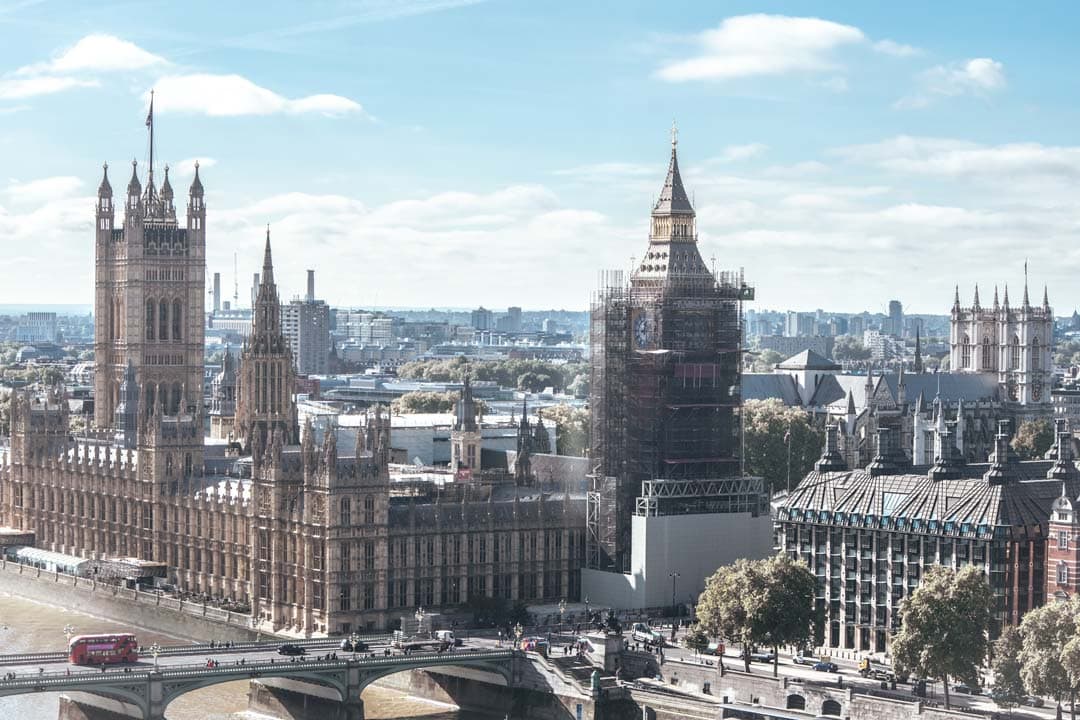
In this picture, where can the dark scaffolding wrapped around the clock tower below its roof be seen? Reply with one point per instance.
(666, 359)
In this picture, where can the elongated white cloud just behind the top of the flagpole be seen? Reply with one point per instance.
(229, 96)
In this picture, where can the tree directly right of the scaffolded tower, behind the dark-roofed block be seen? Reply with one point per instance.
(766, 424)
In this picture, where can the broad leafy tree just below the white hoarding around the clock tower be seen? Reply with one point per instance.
(760, 603)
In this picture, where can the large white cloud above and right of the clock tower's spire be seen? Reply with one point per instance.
(750, 46)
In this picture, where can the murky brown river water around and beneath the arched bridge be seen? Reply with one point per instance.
(28, 627)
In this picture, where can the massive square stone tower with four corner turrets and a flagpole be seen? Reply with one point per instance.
(150, 297)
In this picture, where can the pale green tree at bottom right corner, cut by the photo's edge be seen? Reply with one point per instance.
(1047, 632)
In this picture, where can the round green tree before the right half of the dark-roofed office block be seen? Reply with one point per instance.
(946, 622)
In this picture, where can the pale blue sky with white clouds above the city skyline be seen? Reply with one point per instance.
(502, 153)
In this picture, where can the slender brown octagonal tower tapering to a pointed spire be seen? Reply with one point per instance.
(265, 400)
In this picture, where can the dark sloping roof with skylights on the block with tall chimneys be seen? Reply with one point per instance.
(913, 502)
